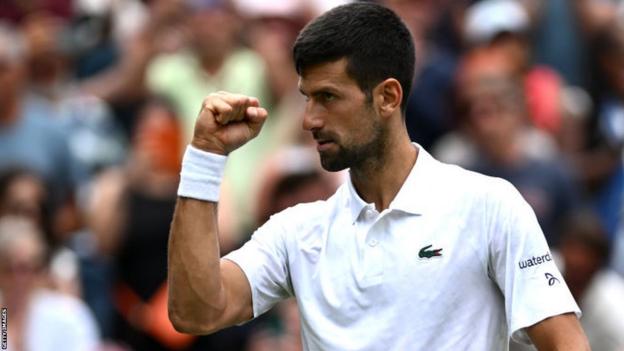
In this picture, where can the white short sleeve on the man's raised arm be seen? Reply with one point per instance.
(264, 260)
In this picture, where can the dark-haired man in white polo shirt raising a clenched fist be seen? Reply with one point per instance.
(409, 254)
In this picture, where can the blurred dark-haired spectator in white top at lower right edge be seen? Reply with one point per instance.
(585, 251)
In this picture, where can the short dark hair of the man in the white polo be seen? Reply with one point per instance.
(373, 39)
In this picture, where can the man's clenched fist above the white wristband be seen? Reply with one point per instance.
(226, 121)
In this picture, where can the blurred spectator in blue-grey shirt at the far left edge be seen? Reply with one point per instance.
(30, 138)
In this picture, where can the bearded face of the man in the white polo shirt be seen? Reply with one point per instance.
(347, 130)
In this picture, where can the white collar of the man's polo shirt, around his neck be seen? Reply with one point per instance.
(412, 196)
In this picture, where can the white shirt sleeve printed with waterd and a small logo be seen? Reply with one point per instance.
(521, 264)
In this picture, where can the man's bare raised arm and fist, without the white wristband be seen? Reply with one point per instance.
(206, 293)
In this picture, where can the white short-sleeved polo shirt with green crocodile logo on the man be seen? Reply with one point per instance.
(457, 262)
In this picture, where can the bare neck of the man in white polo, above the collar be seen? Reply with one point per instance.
(379, 180)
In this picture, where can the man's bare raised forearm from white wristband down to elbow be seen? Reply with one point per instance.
(196, 291)
